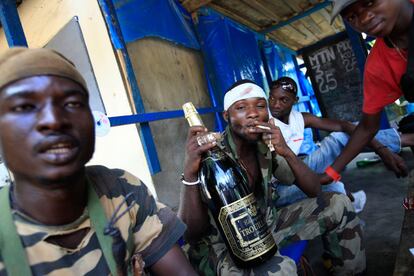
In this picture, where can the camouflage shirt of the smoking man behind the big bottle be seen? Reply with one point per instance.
(204, 254)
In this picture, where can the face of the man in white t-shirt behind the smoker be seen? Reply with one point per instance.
(281, 102)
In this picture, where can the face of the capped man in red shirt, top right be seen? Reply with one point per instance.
(375, 17)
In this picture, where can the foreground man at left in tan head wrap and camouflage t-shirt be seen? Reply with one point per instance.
(53, 203)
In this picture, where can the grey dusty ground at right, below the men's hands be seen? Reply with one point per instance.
(382, 216)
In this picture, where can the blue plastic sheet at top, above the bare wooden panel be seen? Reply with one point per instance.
(155, 18)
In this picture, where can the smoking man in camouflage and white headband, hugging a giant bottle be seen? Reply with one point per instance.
(329, 215)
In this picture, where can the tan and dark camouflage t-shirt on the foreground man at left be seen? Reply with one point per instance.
(155, 229)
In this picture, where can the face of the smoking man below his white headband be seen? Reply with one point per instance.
(244, 115)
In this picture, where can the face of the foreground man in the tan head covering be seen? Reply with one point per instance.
(46, 128)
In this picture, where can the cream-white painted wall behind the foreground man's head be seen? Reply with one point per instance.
(41, 20)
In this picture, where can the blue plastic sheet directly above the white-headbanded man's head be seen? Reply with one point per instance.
(230, 51)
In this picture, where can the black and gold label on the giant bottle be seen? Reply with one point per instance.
(245, 229)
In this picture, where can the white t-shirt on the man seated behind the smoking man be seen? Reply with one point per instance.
(293, 131)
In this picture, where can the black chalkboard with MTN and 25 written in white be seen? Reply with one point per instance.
(336, 80)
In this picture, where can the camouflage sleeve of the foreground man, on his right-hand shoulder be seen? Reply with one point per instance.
(155, 227)
